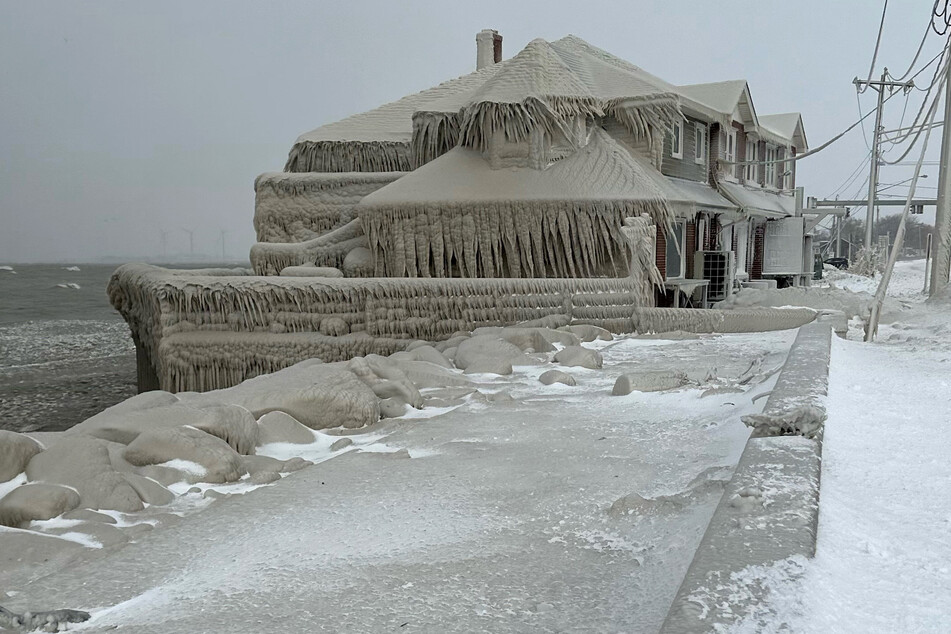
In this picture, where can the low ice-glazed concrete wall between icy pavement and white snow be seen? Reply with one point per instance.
(769, 509)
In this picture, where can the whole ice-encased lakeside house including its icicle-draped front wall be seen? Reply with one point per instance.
(561, 183)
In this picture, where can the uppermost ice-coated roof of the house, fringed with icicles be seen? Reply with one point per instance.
(566, 77)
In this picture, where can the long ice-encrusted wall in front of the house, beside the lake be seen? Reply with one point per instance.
(210, 329)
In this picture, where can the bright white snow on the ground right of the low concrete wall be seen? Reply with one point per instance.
(883, 552)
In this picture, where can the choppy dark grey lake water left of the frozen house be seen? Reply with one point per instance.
(65, 353)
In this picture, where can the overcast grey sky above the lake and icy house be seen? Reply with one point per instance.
(119, 120)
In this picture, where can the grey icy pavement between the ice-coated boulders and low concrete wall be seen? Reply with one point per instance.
(505, 514)
